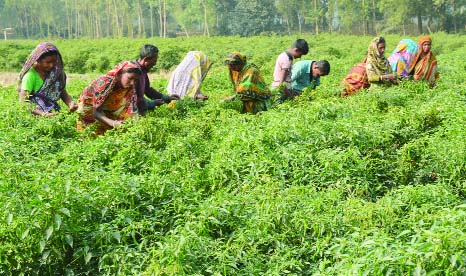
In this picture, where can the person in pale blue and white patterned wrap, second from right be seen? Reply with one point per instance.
(402, 57)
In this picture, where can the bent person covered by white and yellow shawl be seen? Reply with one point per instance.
(187, 78)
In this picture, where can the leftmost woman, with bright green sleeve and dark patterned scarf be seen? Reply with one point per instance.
(42, 81)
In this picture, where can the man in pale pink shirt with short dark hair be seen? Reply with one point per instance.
(281, 85)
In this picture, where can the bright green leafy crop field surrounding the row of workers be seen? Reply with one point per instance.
(372, 184)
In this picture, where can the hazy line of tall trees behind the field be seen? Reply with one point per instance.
(166, 18)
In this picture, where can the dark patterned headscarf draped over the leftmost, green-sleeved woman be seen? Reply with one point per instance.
(55, 83)
